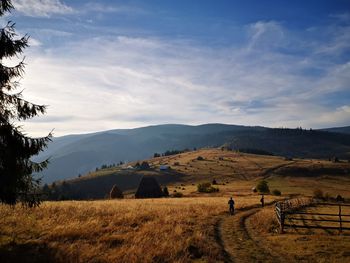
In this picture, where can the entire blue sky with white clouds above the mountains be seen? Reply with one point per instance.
(102, 65)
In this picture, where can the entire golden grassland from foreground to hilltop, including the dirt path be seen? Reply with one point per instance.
(194, 228)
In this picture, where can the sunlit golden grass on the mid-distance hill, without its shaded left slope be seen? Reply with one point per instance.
(237, 173)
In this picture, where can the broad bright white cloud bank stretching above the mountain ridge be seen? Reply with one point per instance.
(123, 82)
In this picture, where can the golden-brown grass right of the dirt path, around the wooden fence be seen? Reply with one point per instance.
(305, 245)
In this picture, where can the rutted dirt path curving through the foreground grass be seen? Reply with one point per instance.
(237, 242)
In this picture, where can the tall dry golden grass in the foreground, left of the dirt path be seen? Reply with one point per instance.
(150, 230)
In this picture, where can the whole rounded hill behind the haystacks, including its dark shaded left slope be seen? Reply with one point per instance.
(234, 172)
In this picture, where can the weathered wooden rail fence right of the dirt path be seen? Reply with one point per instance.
(286, 212)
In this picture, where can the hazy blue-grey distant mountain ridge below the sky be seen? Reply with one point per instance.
(78, 154)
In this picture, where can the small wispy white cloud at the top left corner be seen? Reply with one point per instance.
(42, 8)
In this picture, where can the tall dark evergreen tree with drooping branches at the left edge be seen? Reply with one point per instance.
(16, 168)
